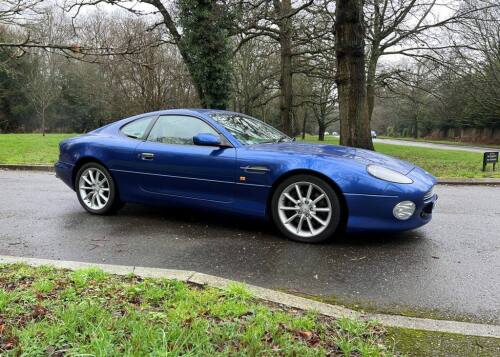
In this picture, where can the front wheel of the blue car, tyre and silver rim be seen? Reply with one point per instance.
(305, 208)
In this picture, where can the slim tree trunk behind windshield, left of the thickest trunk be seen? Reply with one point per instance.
(286, 95)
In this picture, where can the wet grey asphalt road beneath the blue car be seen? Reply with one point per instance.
(451, 265)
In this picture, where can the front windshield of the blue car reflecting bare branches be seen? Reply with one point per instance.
(248, 130)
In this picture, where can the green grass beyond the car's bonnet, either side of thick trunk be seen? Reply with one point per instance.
(440, 163)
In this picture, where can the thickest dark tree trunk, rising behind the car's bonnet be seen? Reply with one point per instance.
(351, 77)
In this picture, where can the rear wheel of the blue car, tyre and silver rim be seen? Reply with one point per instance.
(96, 189)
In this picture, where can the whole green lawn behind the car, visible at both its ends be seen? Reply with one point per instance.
(37, 149)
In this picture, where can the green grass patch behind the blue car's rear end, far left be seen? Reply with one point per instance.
(30, 148)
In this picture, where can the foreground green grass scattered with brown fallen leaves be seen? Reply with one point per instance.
(46, 311)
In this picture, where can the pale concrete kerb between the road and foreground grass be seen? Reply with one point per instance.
(284, 299)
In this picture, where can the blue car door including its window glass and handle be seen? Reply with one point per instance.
(171, 165)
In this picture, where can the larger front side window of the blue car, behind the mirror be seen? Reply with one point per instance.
(178, 129)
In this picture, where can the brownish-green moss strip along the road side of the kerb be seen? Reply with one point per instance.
(393, 309)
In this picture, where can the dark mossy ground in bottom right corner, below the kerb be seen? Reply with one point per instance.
(419, 343)
